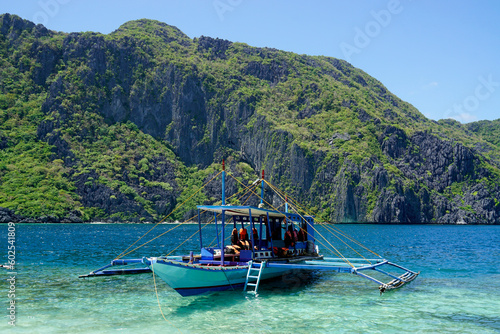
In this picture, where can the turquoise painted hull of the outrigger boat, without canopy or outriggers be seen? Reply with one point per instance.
(194, 279)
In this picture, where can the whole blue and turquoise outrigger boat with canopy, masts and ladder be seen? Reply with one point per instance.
(279, 243)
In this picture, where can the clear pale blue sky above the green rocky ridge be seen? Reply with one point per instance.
(441, 56)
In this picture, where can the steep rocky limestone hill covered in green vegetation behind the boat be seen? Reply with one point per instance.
(125, 126)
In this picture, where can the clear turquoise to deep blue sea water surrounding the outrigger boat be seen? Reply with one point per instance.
(458, 290)
